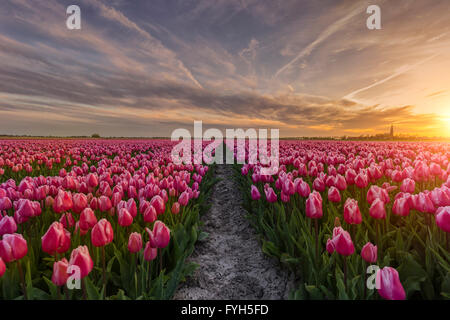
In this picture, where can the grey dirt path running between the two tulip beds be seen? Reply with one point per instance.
(232, 265)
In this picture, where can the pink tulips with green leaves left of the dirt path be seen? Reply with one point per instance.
(94, 219)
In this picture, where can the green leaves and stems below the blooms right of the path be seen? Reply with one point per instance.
(407, 244)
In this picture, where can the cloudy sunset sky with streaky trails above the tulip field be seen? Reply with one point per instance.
(144, 68)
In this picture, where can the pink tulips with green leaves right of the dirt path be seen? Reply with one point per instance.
(336, 207)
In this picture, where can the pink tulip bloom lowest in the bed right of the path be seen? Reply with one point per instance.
(390, 286)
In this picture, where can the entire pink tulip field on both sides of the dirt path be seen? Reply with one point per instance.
(117, 219)
